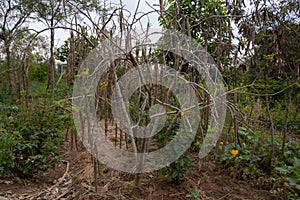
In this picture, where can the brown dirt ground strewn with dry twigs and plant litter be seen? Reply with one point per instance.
(73, 178)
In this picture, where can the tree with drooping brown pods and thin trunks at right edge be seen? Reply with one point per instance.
(276, 54)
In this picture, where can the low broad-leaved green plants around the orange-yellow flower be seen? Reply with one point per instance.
(253, 161)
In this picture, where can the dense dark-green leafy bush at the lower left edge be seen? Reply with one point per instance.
(30, 138)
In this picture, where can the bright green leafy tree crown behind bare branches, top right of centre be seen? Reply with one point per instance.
(204, 27)
